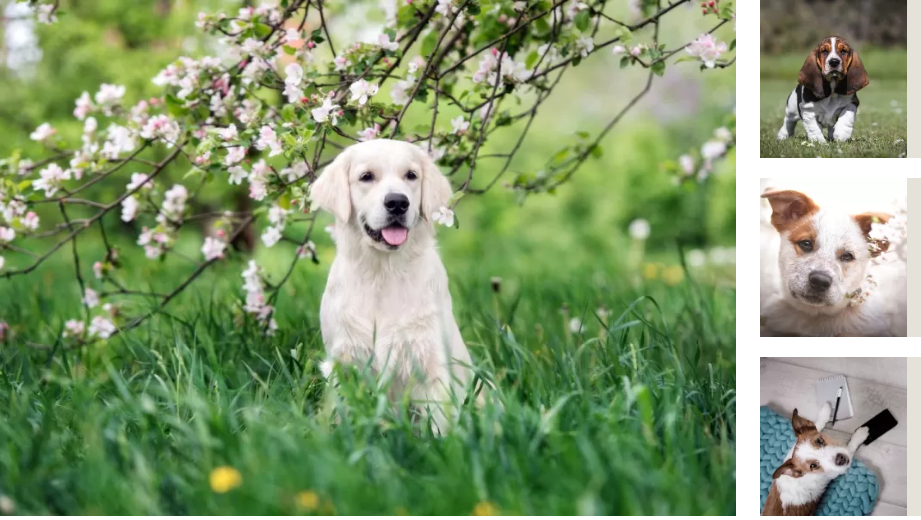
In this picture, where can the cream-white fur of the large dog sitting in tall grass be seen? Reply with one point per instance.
(389, 308)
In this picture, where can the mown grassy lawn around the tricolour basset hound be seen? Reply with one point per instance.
(882, 119)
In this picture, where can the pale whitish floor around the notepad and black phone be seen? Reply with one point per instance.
(875, 384)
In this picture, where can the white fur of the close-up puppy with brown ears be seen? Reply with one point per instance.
(784, 283)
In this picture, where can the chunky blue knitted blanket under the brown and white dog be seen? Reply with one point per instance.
(852, 494)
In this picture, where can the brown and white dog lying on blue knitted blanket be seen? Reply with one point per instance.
(813, 462)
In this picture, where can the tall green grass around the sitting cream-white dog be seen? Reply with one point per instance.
(640, 422)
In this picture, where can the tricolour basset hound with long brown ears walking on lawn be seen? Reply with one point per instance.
(827, 92)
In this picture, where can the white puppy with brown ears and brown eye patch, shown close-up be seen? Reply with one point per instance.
(814, 273)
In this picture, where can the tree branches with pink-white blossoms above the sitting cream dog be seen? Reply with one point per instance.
(219, 119)
